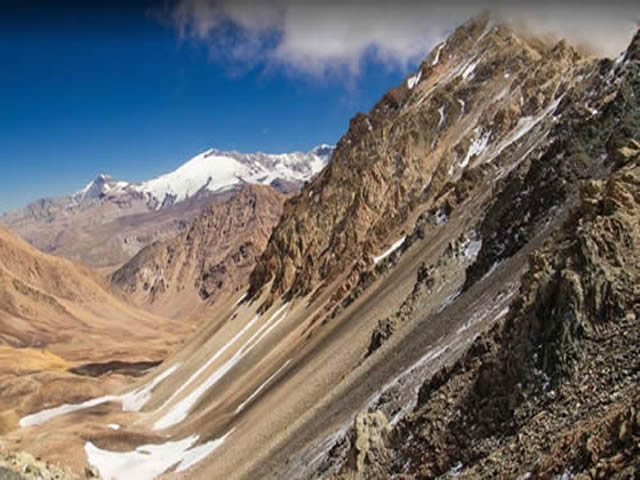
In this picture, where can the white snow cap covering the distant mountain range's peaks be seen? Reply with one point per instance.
(214, 171)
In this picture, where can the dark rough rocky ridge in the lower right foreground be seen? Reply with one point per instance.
(552, 389)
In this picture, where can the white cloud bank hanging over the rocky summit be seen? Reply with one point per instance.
(324, 37)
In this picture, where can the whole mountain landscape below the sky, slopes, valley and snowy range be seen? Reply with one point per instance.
(452, 291)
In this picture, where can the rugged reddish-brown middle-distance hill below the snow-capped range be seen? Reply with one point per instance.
(208, 262)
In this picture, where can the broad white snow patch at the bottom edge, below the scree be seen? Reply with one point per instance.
(149, 461)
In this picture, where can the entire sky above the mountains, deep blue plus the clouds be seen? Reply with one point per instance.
(135, 88)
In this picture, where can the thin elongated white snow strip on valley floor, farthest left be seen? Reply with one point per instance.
(131, 402)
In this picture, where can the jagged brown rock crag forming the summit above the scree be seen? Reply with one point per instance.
(487, 96)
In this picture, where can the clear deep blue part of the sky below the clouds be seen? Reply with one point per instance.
(88, 91)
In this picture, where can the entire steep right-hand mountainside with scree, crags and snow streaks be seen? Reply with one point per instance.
(414, 314)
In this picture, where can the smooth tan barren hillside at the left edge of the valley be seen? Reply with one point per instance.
(56, 316)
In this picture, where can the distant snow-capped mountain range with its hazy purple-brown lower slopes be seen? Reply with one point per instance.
(109, 221)
